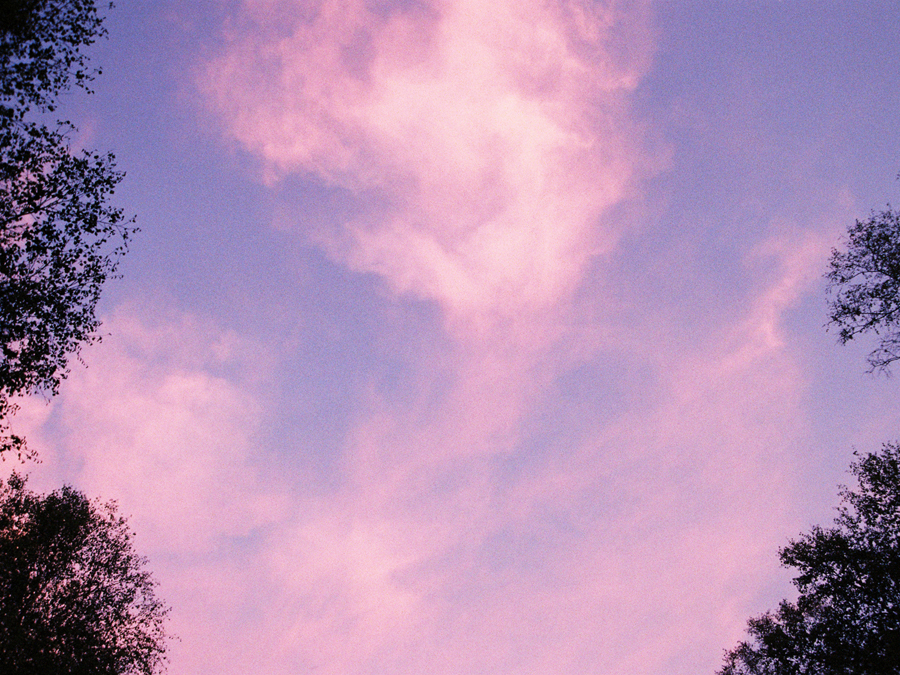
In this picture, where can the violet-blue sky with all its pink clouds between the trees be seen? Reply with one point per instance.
(467, 337)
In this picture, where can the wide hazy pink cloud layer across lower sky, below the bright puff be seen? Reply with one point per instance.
(627, 551)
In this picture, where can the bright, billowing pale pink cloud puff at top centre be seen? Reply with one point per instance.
(491, 136)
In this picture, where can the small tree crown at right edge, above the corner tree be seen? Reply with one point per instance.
(865, 284)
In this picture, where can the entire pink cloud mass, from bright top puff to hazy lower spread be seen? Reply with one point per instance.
(494, 137)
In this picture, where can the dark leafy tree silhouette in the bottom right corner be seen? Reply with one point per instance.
(846, 620)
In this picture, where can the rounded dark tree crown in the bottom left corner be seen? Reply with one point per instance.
(74, 597)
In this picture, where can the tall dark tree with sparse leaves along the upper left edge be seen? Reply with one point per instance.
(59, 238)
